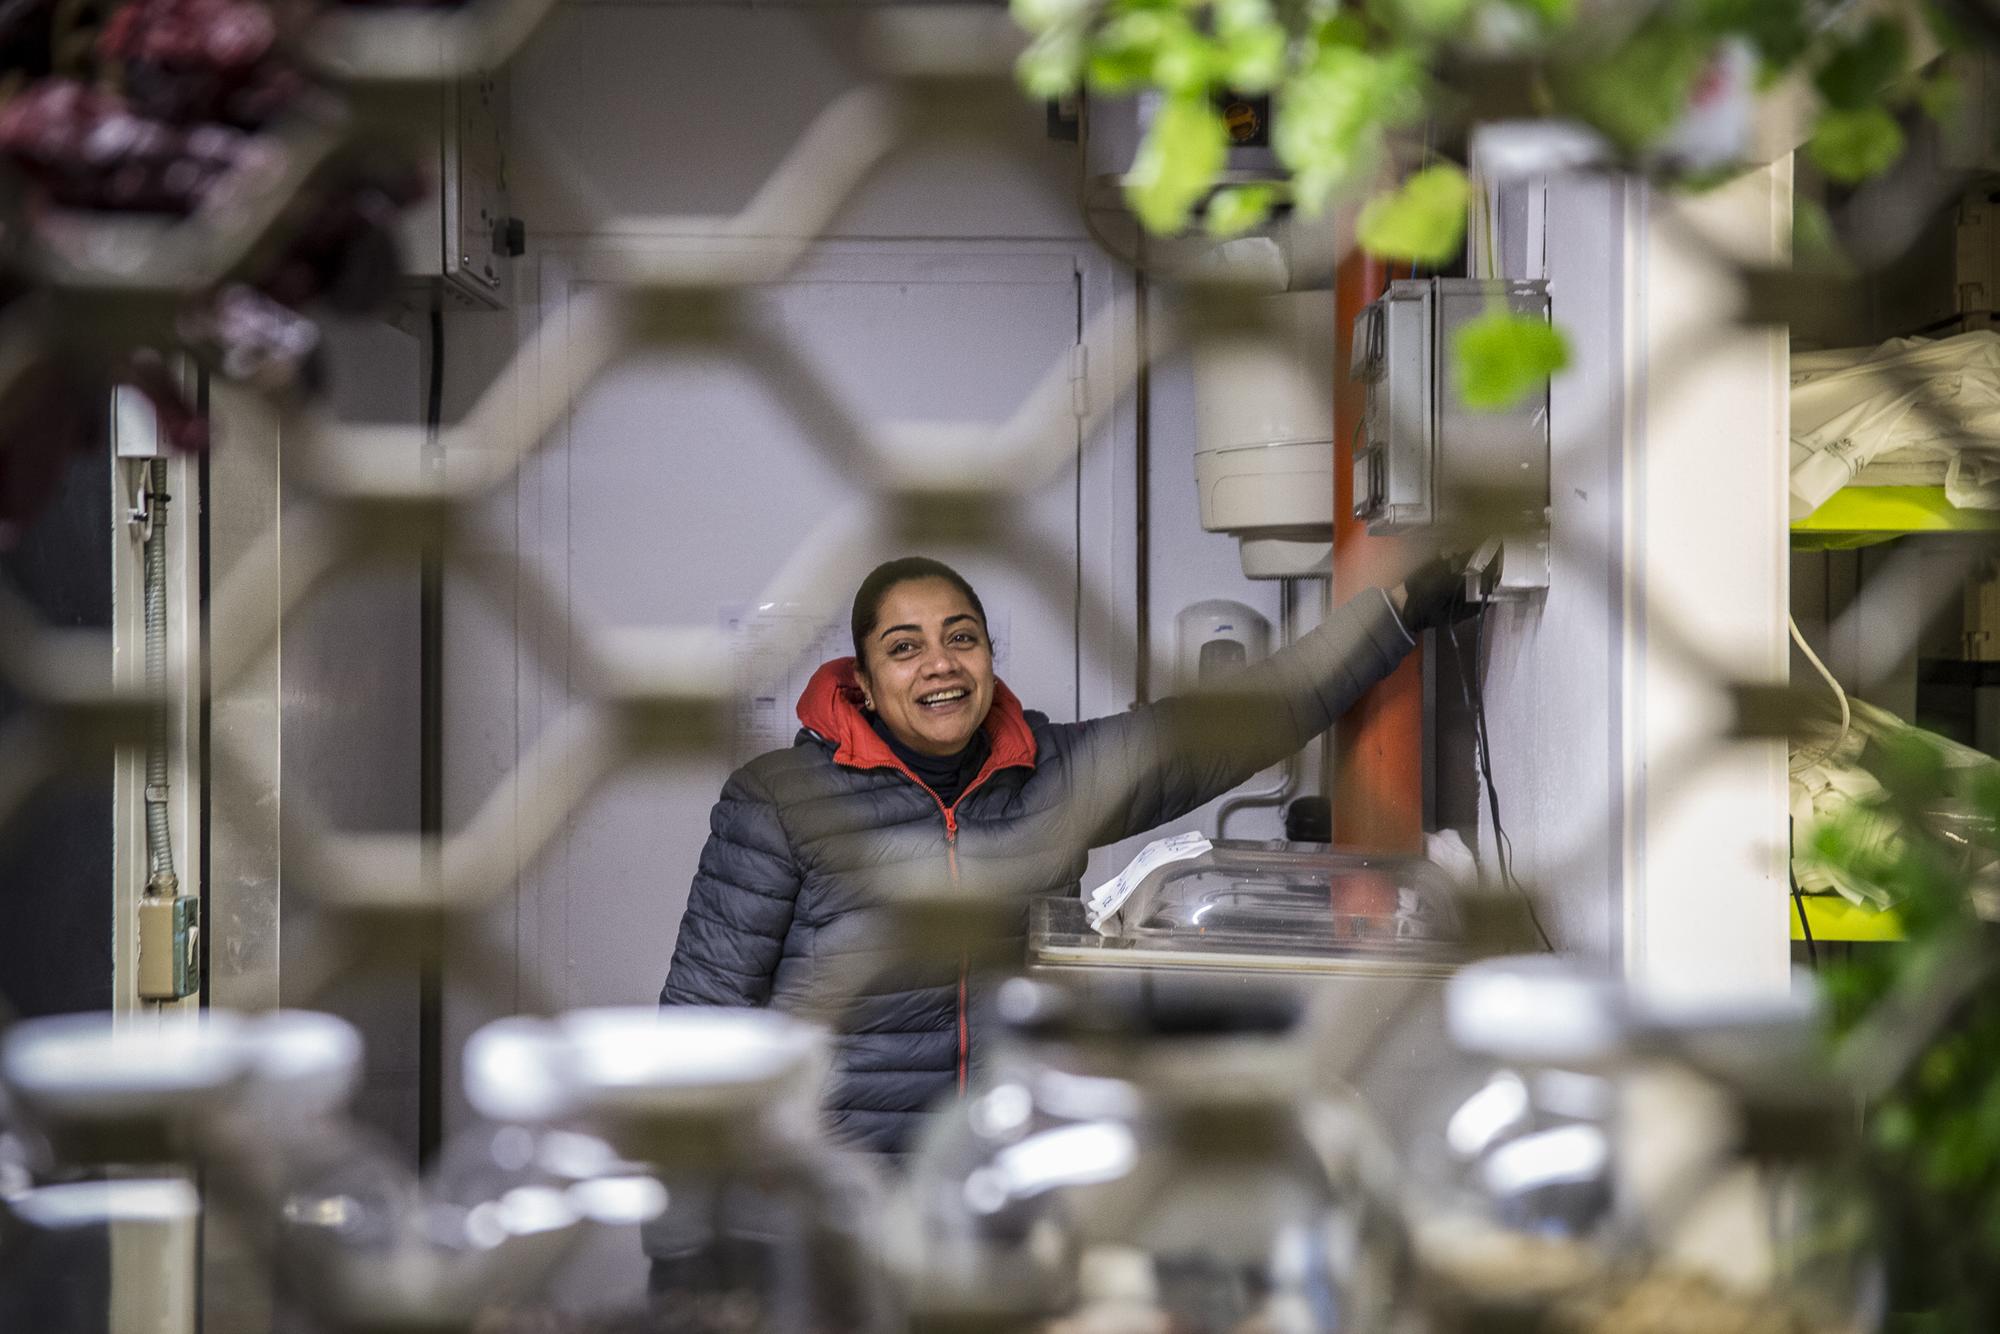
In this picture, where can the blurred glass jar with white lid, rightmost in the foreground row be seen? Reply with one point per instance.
(1593, 1165)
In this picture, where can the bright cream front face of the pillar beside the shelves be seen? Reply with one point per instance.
(1707, 855)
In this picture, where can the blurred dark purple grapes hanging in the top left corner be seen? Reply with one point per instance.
(181, 119)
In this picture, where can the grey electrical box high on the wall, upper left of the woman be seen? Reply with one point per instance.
(457, 241)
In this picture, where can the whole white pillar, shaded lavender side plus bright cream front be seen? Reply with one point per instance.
(1661, 845)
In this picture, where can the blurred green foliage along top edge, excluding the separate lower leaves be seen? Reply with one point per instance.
(1343, 79)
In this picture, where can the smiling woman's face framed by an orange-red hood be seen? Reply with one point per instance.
(929, 669)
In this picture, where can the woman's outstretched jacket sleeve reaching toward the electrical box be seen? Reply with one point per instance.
(1137, 771)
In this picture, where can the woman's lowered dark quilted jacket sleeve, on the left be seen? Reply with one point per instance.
(741, 905)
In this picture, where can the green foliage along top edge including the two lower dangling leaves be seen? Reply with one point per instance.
(1345, 79)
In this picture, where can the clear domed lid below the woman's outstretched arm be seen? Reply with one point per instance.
(1273, 905)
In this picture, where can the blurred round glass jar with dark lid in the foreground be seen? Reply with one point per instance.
(1155, 1165)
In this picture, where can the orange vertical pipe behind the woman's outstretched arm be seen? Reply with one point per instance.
(1377, 765)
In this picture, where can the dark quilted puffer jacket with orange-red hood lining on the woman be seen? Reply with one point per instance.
(789, 901)
